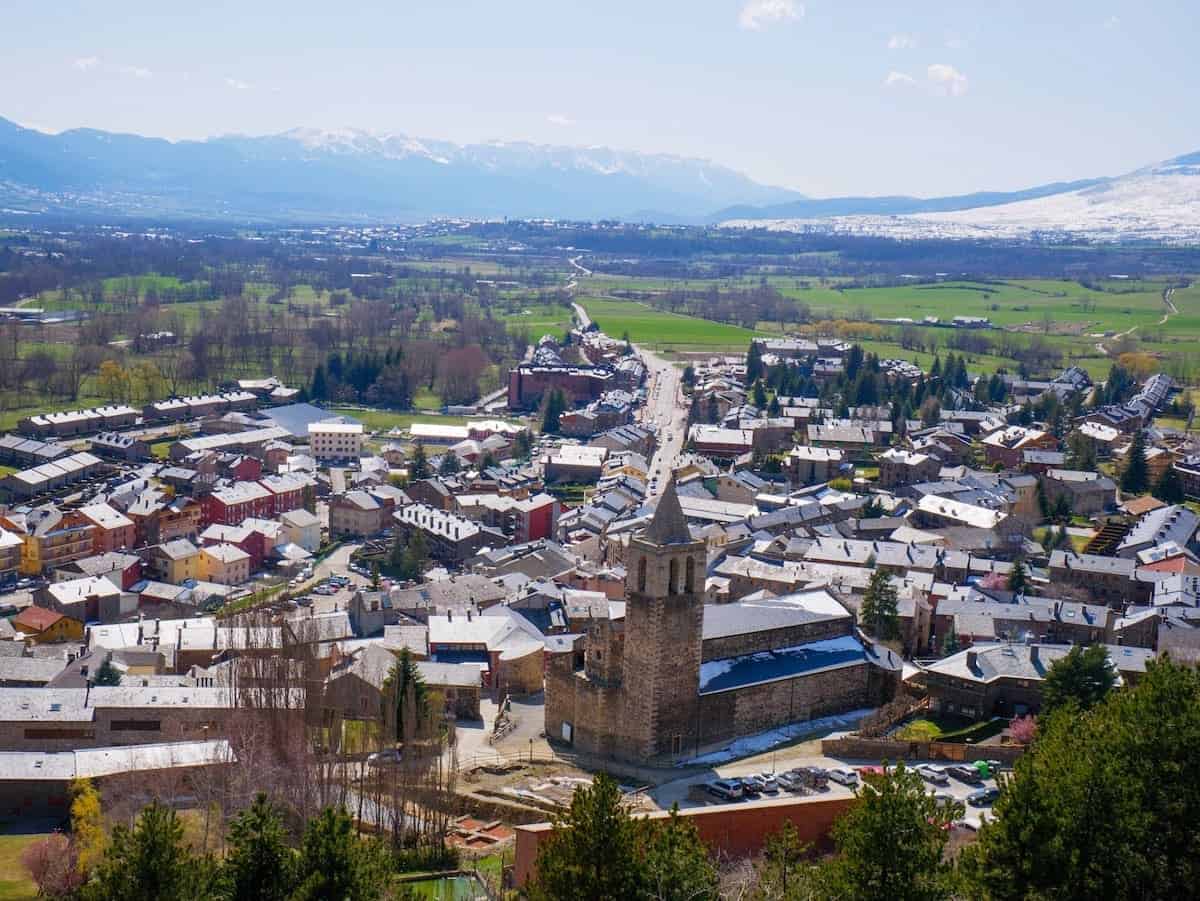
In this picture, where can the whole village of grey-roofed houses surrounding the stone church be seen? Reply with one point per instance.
(735, 582)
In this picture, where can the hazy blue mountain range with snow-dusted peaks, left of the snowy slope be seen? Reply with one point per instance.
(351, 175)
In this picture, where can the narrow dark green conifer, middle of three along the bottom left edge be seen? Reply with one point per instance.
(259, 864)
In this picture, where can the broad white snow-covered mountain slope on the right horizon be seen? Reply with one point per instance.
(1159, 203)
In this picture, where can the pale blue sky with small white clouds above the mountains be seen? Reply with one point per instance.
(827, 98)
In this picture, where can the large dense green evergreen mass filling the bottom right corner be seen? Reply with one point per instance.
(1105, 803)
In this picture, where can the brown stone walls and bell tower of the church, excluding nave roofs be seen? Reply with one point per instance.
(638, 696)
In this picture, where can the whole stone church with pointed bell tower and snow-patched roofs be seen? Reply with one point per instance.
(665, 676)
